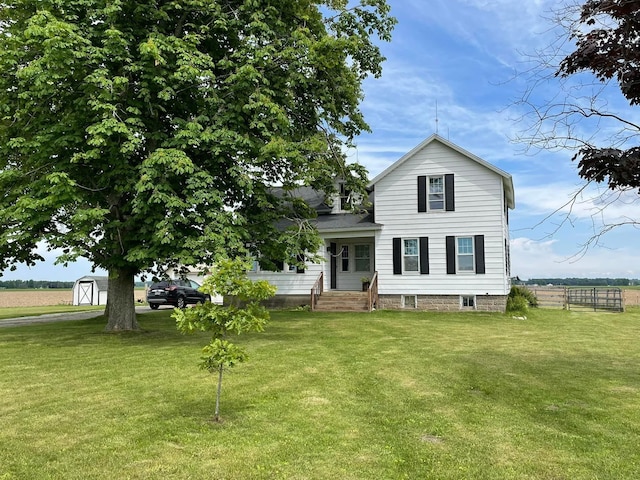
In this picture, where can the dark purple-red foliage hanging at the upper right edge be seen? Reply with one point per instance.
(607, 45)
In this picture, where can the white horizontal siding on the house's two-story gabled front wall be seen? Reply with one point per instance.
(479, 210)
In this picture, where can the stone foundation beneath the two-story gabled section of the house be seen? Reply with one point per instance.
(444, 303)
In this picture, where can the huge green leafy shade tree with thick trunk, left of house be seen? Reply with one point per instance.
(148, 134)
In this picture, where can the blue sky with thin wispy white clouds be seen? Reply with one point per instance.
(468, 58)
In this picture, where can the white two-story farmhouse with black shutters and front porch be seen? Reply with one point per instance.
(435, 238)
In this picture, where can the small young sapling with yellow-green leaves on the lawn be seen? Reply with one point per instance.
(242, 313)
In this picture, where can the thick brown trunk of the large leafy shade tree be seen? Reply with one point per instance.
(121, 309)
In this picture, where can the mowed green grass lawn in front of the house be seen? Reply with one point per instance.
(388, 395)
